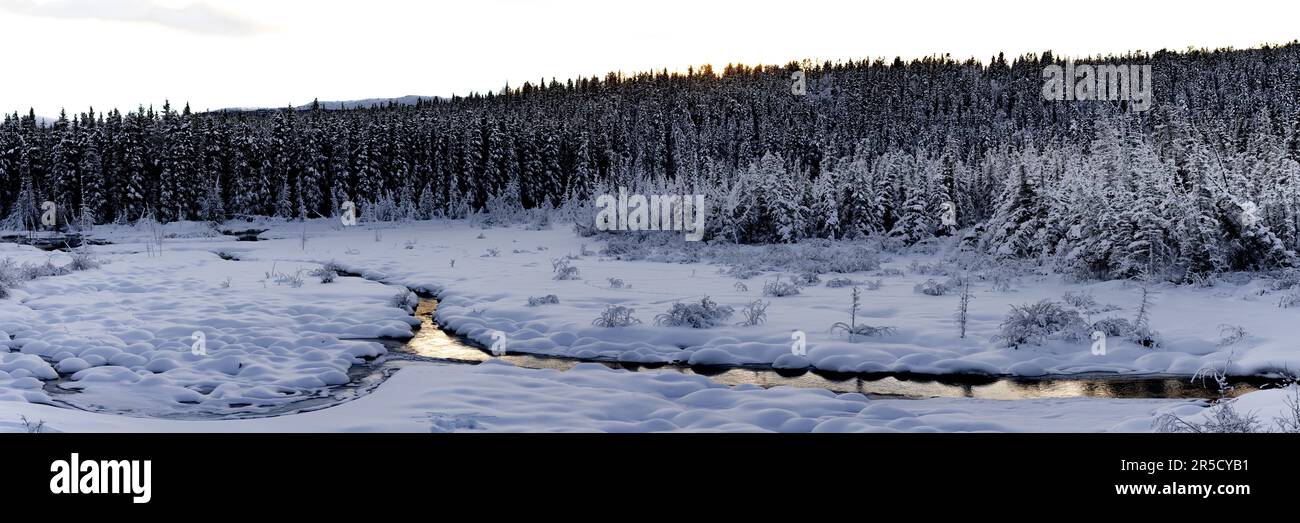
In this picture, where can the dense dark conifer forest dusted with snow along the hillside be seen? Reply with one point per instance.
(1204, 183)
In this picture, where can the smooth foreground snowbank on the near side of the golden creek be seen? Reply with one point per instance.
(496, 396)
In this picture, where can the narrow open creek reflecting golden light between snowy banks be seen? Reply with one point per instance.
(434, 343)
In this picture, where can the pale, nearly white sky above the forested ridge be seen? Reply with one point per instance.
(75, 54)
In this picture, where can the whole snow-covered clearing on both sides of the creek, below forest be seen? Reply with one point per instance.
(124, 336)
